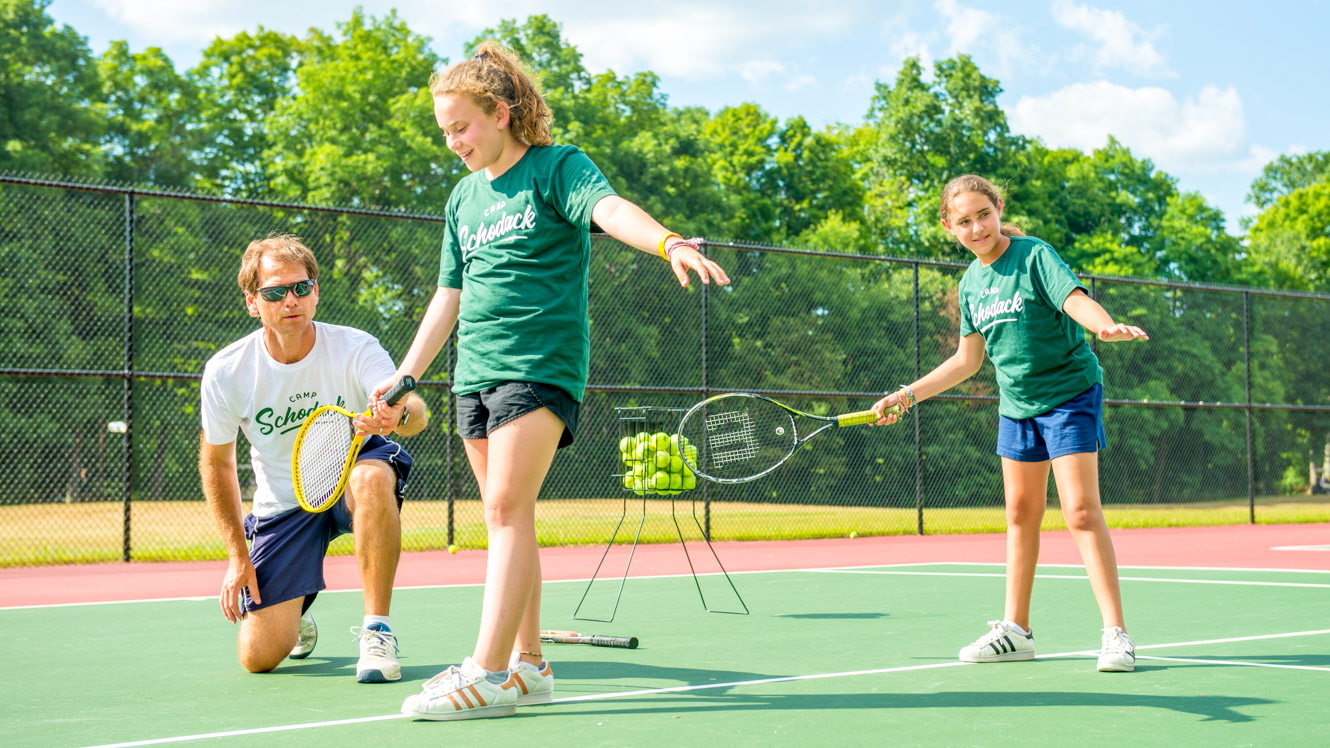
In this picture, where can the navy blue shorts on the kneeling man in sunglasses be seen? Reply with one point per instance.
(288, 549)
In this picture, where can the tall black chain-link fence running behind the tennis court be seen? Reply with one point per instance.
(116, 297)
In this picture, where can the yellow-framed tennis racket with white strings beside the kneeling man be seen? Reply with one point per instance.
(327, 449)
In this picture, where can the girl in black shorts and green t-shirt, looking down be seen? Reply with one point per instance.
(514, 281)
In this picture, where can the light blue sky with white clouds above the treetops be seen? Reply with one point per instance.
(1210, 91)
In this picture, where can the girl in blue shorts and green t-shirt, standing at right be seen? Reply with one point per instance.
(1023, 307)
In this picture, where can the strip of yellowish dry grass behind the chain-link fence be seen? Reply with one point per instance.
(92, 533)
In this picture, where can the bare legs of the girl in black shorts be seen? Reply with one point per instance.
(511, 467)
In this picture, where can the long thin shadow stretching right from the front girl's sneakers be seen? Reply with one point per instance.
(1214, 709)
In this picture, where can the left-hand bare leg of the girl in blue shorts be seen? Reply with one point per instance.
(1027, 497)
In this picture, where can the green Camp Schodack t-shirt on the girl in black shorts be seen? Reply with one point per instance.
(519, 248)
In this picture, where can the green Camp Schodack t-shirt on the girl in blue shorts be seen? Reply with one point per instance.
(1017, 304)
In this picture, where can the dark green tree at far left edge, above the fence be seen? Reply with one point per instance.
(49, 79)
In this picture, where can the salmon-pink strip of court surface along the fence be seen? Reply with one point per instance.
(1262, 546)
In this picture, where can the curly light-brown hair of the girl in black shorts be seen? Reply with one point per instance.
(497, 75)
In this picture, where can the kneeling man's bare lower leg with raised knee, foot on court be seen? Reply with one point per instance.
(377, 526)
